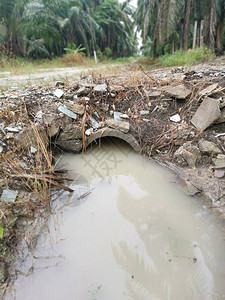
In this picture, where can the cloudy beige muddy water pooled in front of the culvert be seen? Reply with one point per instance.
(134, 236)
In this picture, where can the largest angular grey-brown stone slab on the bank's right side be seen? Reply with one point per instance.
(206, 114)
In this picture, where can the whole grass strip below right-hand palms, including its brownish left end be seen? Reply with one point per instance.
(179, 58)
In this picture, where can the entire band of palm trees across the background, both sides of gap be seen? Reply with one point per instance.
(37, 29)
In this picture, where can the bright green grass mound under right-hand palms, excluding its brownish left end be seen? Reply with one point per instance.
(189, 57)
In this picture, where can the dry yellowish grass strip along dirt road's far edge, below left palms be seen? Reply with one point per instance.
(23, 66)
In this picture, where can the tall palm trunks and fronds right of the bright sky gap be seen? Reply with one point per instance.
(170, 24)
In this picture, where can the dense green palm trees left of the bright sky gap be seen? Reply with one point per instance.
(48, 28)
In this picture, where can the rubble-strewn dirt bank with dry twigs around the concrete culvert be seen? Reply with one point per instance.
(176, 115)
